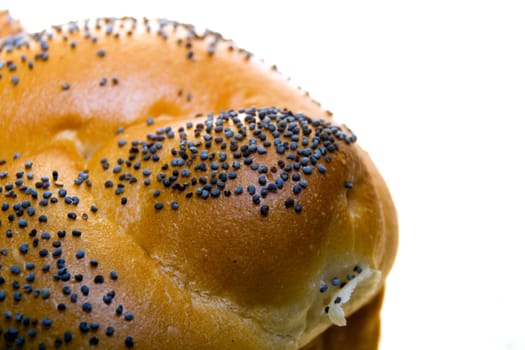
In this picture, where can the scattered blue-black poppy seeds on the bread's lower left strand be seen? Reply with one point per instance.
(25, 198)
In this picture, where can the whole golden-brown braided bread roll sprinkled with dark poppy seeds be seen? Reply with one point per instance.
(161, 189)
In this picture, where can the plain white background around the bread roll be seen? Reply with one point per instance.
(435, 91)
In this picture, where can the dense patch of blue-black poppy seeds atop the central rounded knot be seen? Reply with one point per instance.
(204, 159)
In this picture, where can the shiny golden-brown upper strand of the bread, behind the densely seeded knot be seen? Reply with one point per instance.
(100, 78)
